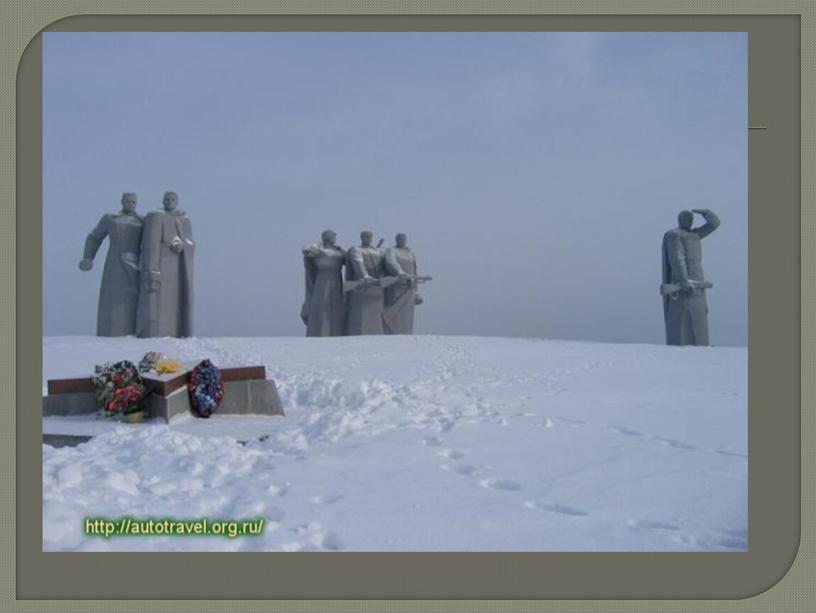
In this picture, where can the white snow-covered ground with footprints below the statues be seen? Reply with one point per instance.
(423, 443)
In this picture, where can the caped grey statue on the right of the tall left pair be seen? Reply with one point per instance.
(168, 253)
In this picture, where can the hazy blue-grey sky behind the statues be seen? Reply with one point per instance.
(534, 173)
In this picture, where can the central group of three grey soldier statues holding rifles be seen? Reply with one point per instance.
(377, 294)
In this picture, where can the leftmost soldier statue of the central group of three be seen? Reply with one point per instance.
(323, 309)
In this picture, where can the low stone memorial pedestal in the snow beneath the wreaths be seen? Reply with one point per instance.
(247, 391)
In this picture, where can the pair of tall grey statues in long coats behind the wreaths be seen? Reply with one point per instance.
(147, 281)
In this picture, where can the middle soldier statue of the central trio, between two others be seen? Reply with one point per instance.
(364, 268)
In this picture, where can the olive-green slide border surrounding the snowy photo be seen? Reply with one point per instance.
(774, 361)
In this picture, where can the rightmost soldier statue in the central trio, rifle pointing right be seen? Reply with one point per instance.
(401, 297)
